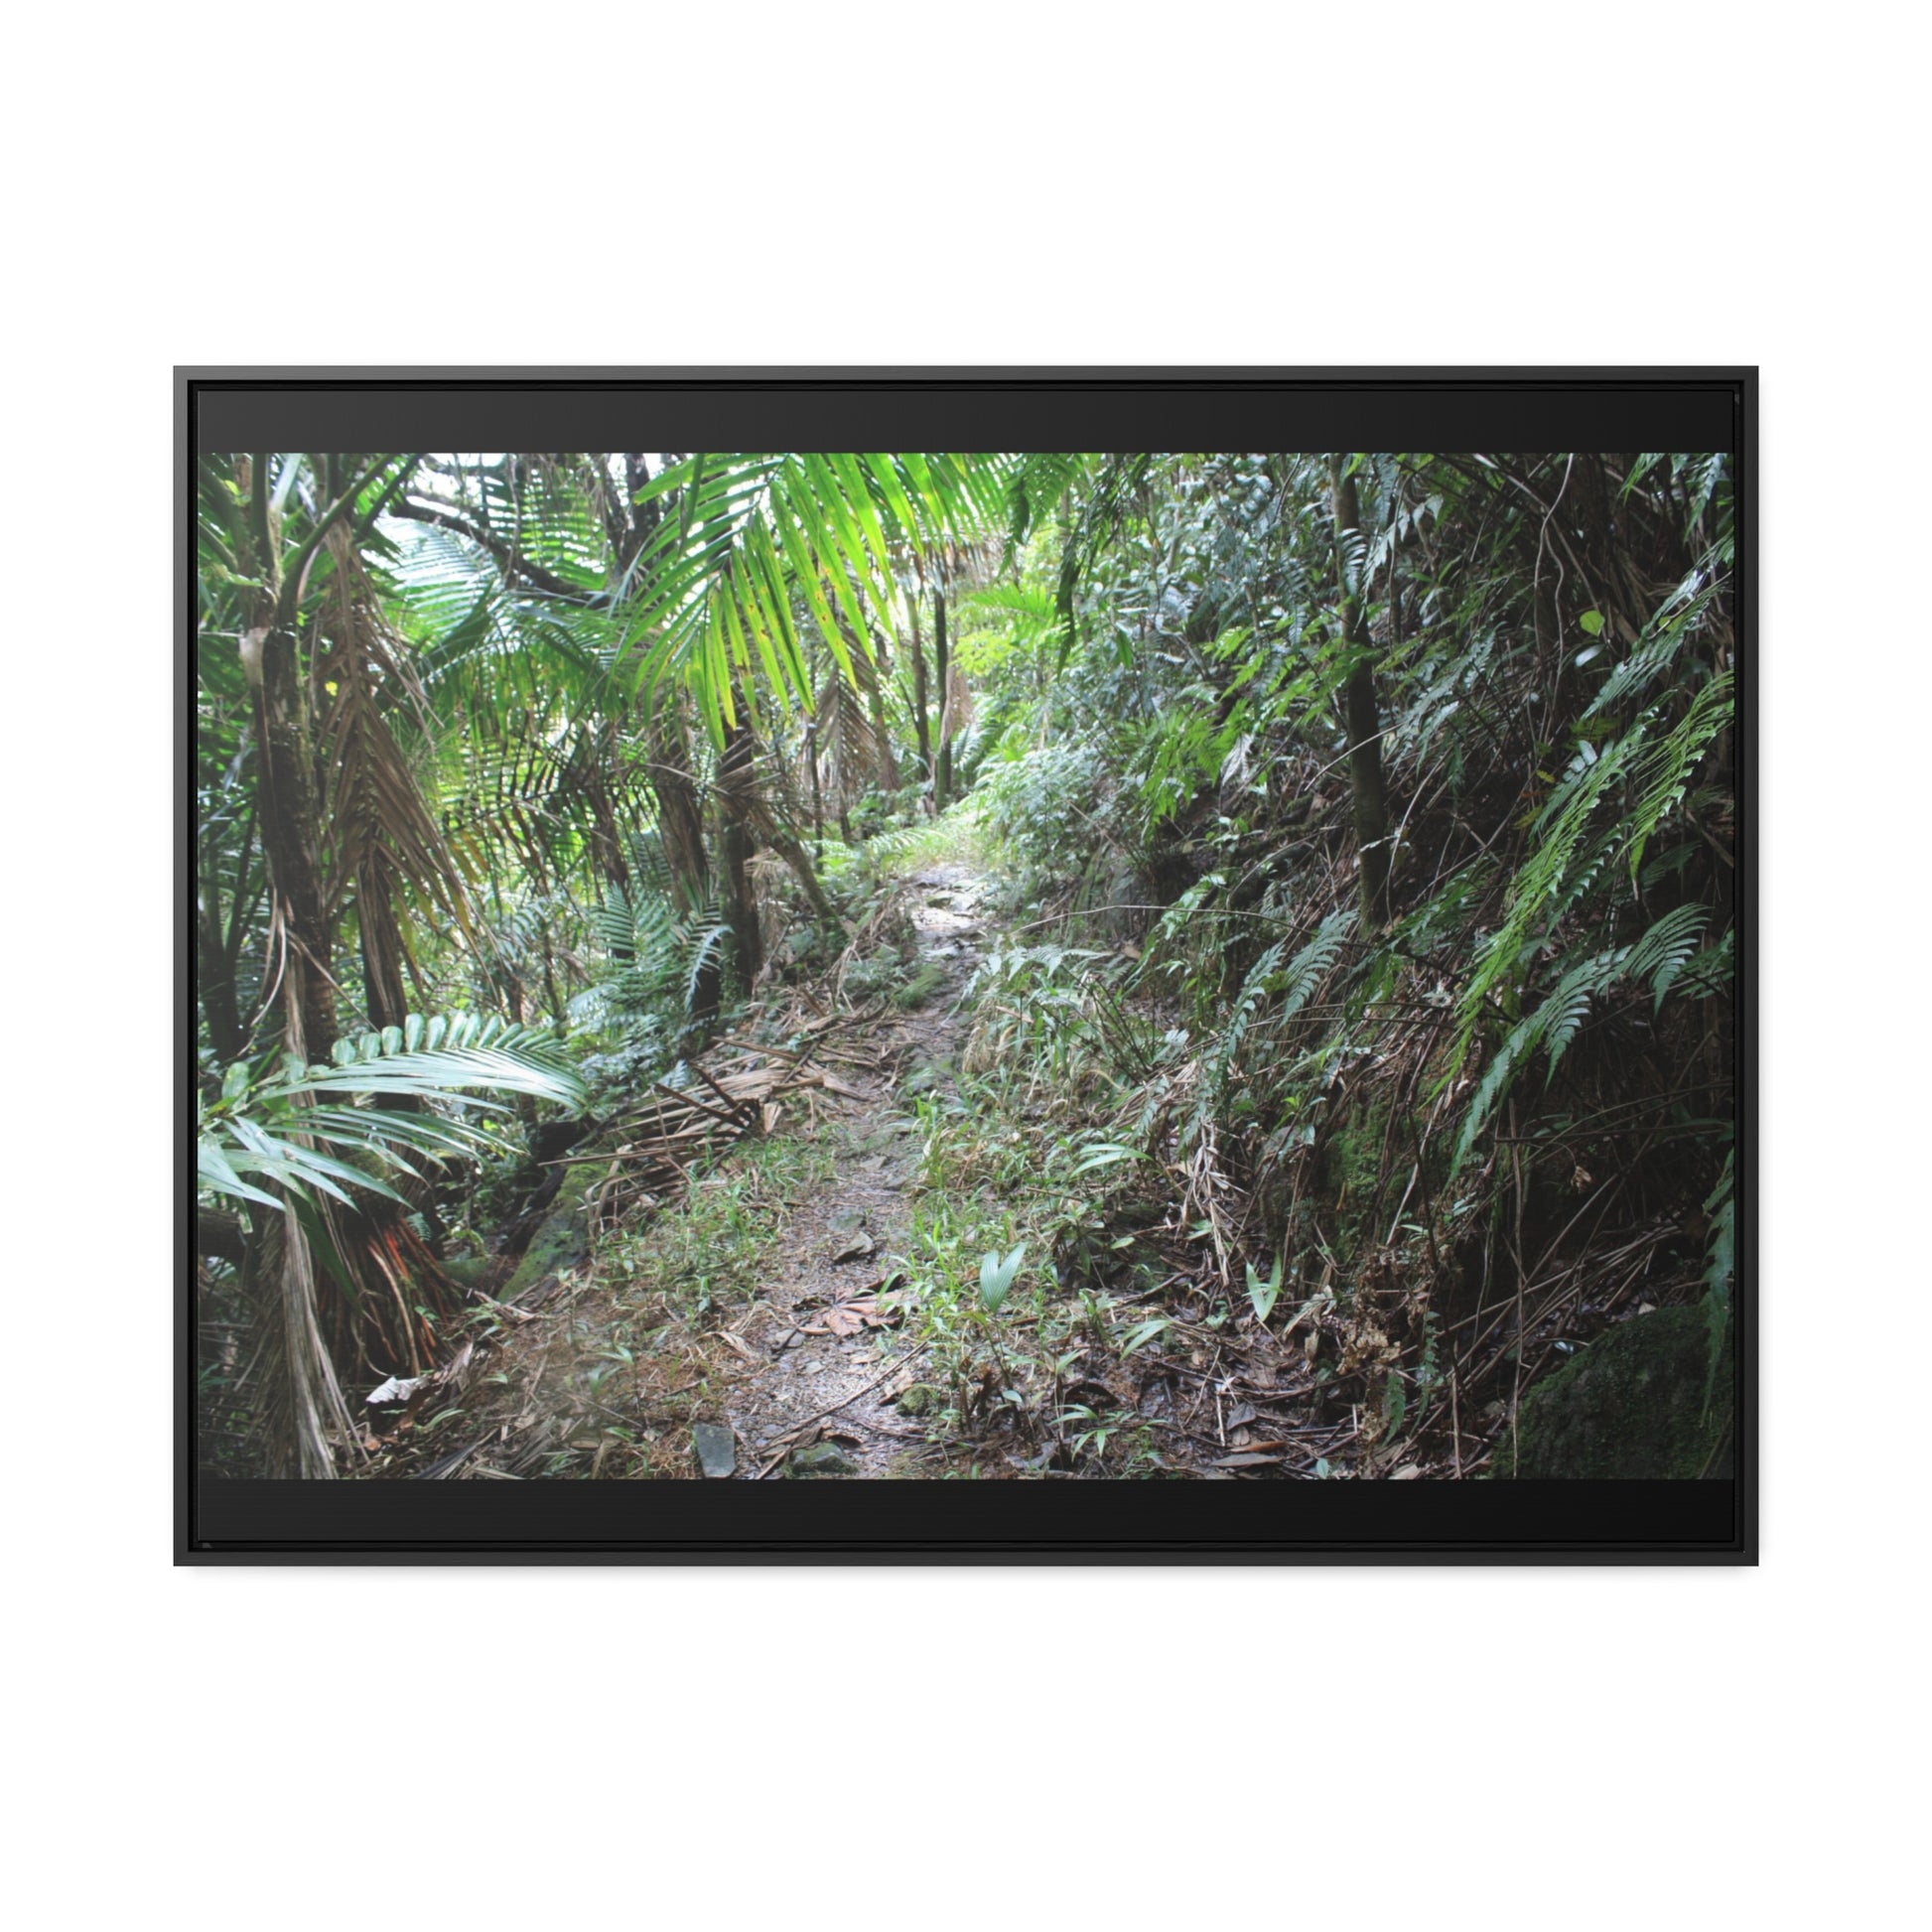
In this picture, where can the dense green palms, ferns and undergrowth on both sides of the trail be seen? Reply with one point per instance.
(1361, 845)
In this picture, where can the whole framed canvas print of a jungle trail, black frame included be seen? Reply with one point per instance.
(965, 967)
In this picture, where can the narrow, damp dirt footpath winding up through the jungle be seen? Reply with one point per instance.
(826, 1371)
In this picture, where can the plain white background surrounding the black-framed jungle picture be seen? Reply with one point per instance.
(1023, 185)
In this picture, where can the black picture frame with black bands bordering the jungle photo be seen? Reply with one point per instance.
(244, 1523)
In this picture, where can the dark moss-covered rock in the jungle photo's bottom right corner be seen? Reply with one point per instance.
(1632, 1406)
